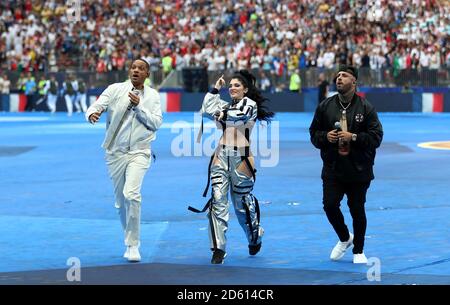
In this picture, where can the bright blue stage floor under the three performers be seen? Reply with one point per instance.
(56, 202)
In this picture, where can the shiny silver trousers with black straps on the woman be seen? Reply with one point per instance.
(226, 175)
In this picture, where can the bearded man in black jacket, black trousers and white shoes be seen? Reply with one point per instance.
(347, 131)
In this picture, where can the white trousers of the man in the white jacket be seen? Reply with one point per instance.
(127, 171)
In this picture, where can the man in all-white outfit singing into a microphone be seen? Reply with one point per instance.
(134, 116)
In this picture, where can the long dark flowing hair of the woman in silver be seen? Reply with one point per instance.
(249, 82)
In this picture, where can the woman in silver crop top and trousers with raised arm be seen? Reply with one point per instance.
(231, 168)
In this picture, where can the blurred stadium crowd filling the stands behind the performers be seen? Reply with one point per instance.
(275, 36)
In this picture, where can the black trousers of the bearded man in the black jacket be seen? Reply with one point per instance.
(333, 193)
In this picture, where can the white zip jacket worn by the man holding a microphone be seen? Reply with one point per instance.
(140, 124)
